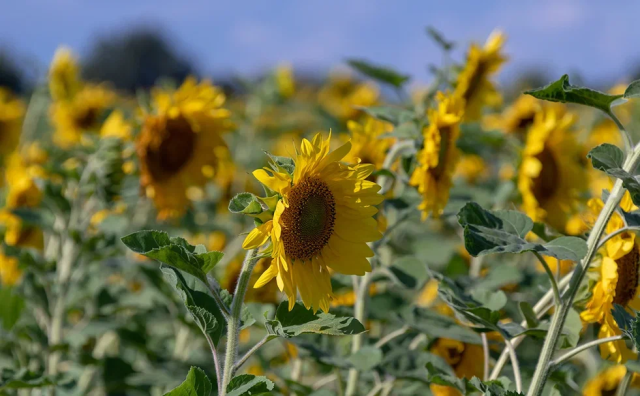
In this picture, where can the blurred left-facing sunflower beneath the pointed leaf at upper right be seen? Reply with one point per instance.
(551, 176)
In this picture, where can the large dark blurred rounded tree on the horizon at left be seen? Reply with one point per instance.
(135, 59)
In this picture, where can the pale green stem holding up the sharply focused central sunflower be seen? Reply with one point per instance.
(233, 325)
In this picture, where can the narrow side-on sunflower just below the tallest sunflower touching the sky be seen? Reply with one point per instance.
(439, 157)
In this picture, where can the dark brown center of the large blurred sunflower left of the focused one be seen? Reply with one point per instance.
(174, 151)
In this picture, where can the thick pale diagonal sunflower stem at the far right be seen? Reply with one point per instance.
(557, 322)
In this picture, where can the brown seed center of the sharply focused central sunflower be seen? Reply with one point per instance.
(308, 221)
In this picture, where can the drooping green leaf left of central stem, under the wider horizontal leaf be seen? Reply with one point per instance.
(201, 305)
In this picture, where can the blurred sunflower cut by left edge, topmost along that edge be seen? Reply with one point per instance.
(11, 113)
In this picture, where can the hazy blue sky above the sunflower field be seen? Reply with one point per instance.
(591, 38)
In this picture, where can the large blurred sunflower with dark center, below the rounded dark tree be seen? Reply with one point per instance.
(180, 142)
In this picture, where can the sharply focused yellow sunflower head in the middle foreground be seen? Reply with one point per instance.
(320, 218)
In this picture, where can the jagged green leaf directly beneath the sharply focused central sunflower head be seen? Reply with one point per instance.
(300, 320)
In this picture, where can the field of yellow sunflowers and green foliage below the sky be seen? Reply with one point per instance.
(343, 237)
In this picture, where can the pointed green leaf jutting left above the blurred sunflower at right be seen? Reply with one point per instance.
(562, 91)
